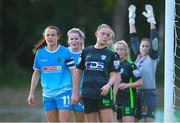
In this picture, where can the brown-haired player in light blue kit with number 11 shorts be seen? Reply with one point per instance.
(52, 64)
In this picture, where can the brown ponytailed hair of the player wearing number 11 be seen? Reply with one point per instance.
(42, 40)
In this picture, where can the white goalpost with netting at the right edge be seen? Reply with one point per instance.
(172, 61)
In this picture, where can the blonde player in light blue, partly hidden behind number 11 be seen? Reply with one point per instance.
(76, 43)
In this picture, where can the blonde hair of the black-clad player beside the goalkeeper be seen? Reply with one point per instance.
(125, 45)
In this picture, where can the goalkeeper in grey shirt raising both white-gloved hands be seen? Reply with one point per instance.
(147, 60)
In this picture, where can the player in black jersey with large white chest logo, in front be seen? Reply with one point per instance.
(101, 70)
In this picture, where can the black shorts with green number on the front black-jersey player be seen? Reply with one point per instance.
(95, 105)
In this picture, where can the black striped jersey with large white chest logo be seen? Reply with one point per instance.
(97, 64)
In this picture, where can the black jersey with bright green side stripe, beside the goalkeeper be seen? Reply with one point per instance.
(129, 74)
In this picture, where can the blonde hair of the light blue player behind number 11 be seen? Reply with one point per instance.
(80, 33)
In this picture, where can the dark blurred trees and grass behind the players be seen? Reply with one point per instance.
(22, 23)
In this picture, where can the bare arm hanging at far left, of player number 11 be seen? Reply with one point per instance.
(34, 82)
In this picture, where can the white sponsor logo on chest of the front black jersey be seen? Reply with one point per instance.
(92, 65)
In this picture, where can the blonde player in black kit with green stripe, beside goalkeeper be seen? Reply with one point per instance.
(130, 79)
